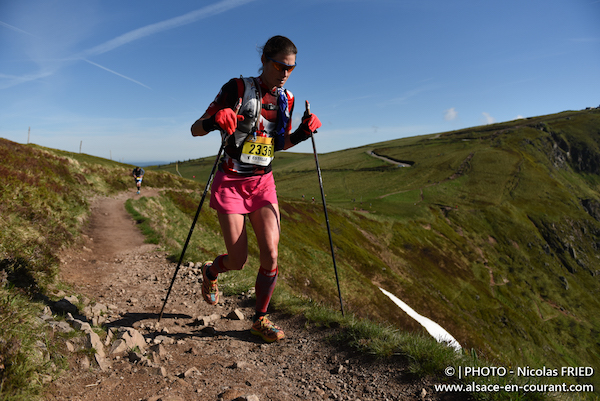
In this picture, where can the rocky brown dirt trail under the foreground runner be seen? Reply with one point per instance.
(197, 351)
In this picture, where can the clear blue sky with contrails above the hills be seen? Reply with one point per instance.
(126, 79)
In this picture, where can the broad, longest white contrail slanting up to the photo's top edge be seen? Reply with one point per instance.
(151, 29)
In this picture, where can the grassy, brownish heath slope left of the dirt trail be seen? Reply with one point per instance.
(43, 206)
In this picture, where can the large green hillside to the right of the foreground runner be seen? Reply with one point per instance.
(492, 232)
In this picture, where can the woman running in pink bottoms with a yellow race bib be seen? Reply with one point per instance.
(244, 185)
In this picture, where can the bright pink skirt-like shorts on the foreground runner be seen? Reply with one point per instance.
(240, 194)
